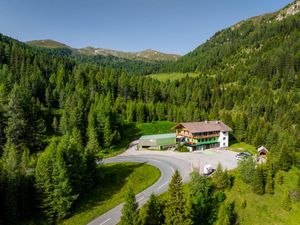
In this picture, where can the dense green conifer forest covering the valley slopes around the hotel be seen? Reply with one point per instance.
(58, 113)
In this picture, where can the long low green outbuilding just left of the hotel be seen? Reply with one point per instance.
(157, 142)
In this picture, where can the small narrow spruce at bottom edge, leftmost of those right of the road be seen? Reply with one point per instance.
(130, 212)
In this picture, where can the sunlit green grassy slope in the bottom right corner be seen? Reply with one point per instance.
(266, 209)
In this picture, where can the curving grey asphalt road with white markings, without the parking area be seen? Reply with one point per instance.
(166, 167)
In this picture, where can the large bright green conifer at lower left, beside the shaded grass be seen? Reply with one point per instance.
(52, 183)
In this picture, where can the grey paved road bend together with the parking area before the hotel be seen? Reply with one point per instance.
(167, 162)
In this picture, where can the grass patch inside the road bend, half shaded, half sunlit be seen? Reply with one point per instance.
(117, 178)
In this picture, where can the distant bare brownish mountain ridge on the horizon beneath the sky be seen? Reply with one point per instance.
(147, 55)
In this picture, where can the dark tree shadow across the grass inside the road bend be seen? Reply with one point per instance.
(114, 177)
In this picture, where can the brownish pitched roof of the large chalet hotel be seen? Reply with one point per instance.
(205, 126)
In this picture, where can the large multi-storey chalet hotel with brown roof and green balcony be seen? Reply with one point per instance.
(203, 135)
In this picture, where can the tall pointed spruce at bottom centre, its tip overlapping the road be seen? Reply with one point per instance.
(175, 208)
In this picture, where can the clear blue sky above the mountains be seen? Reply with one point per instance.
(173, 26)
